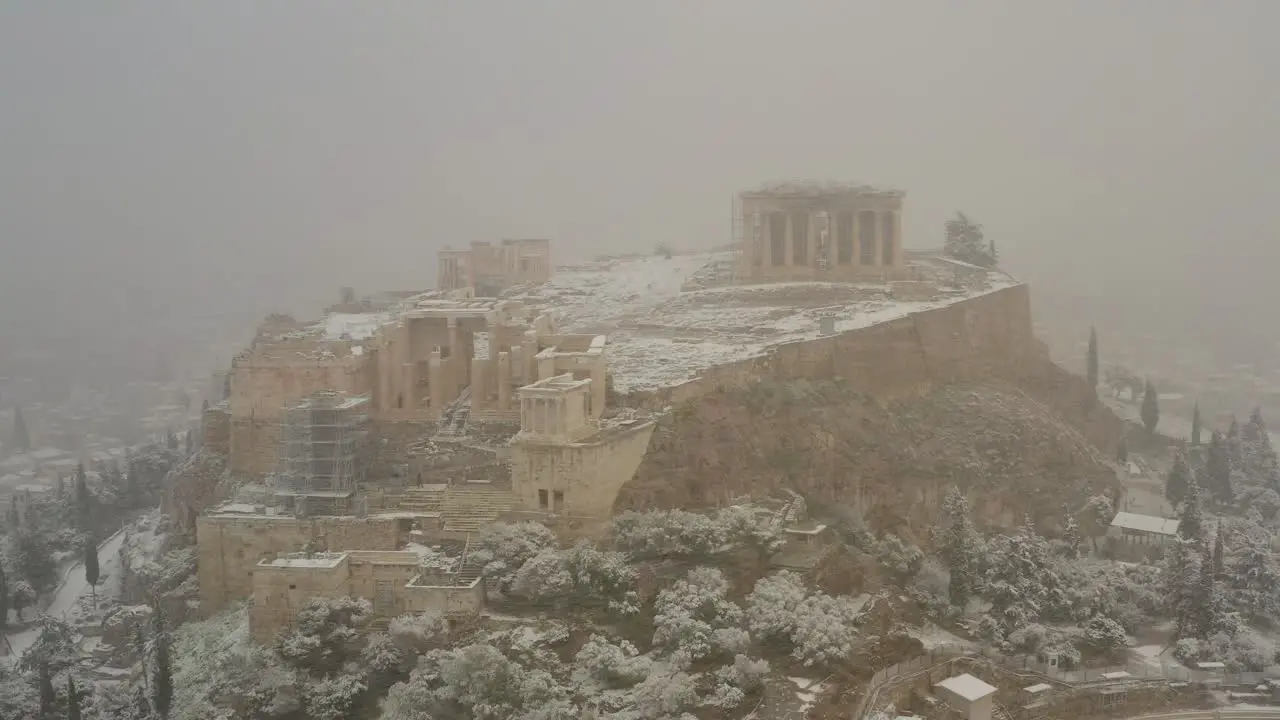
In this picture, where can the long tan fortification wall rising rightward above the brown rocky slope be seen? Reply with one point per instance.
(973, 339)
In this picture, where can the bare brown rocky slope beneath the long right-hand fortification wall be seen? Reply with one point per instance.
(1020, 446)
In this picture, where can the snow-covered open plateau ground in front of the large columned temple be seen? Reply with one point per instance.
(662, 338)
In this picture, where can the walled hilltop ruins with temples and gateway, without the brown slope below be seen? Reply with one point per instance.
(513, 393)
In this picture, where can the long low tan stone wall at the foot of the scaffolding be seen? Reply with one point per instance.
(230, 548)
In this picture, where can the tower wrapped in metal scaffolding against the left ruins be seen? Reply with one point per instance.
(322, 445)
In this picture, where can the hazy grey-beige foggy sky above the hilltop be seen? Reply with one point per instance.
(170, 171)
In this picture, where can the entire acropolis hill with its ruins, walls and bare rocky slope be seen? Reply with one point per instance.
(520, 391)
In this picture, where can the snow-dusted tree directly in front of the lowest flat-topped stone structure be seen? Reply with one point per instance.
(327, 634)
